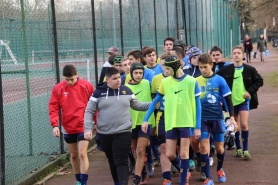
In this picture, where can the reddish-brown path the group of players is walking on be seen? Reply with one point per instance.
(263, 145)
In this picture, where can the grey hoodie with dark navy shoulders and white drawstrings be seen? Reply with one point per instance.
(113, 106)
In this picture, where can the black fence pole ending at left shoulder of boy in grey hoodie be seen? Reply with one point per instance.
(94, 38)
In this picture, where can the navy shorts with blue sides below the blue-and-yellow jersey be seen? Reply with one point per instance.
(215, 127)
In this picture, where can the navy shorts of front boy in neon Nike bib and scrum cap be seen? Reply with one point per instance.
(177, 133)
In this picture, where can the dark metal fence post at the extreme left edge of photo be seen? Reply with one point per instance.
(2, 136)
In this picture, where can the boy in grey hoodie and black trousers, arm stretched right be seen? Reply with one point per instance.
(113, 101)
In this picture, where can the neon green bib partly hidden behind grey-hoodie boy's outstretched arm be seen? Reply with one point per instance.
(142, 91)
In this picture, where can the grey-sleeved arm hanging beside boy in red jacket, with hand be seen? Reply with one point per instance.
(89, 113)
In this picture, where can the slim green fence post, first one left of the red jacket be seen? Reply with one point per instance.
(27, 78)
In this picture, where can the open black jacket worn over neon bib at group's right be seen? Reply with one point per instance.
(252, 81)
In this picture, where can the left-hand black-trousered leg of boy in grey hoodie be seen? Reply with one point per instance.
(106, 144)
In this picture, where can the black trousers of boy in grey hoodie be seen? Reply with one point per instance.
(116, 148)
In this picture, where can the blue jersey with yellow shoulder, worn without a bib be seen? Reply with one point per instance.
(213, 89)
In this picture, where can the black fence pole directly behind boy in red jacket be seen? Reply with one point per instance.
(56, 62)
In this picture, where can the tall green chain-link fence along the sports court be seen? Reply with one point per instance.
(29, 63)
